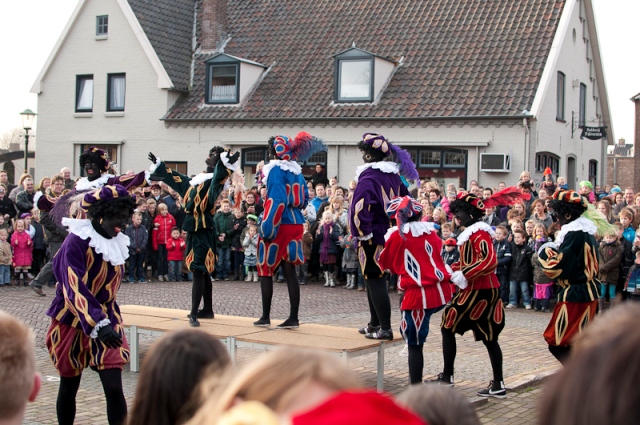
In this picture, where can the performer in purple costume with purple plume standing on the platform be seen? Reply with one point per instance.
(378, 182)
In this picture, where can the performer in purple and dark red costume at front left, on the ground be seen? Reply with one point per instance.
(86, 326)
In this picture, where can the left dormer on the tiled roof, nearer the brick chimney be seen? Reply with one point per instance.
(223, 85)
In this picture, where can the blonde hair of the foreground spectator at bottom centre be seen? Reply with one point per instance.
(275, 379)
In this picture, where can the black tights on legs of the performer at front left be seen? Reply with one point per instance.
(111, 384)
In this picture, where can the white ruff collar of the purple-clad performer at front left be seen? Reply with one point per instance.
(114, 250)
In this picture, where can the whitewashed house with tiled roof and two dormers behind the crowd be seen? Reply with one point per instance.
(475, 90)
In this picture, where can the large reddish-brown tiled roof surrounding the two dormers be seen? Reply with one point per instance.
(461, 57)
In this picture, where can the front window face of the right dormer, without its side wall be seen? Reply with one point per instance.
(354, 76)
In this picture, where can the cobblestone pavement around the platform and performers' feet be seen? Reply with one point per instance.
(526, 358)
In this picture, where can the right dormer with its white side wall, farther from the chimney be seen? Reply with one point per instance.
(360, 76)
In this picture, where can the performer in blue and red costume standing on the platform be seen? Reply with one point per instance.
(281, 229)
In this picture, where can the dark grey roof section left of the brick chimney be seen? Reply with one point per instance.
(168, 25)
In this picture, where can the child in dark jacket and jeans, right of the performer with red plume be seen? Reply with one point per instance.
(520, 272)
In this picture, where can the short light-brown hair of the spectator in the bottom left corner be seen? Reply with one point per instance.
(17, 365)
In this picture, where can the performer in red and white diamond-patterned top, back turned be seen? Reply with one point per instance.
(412, 251)
